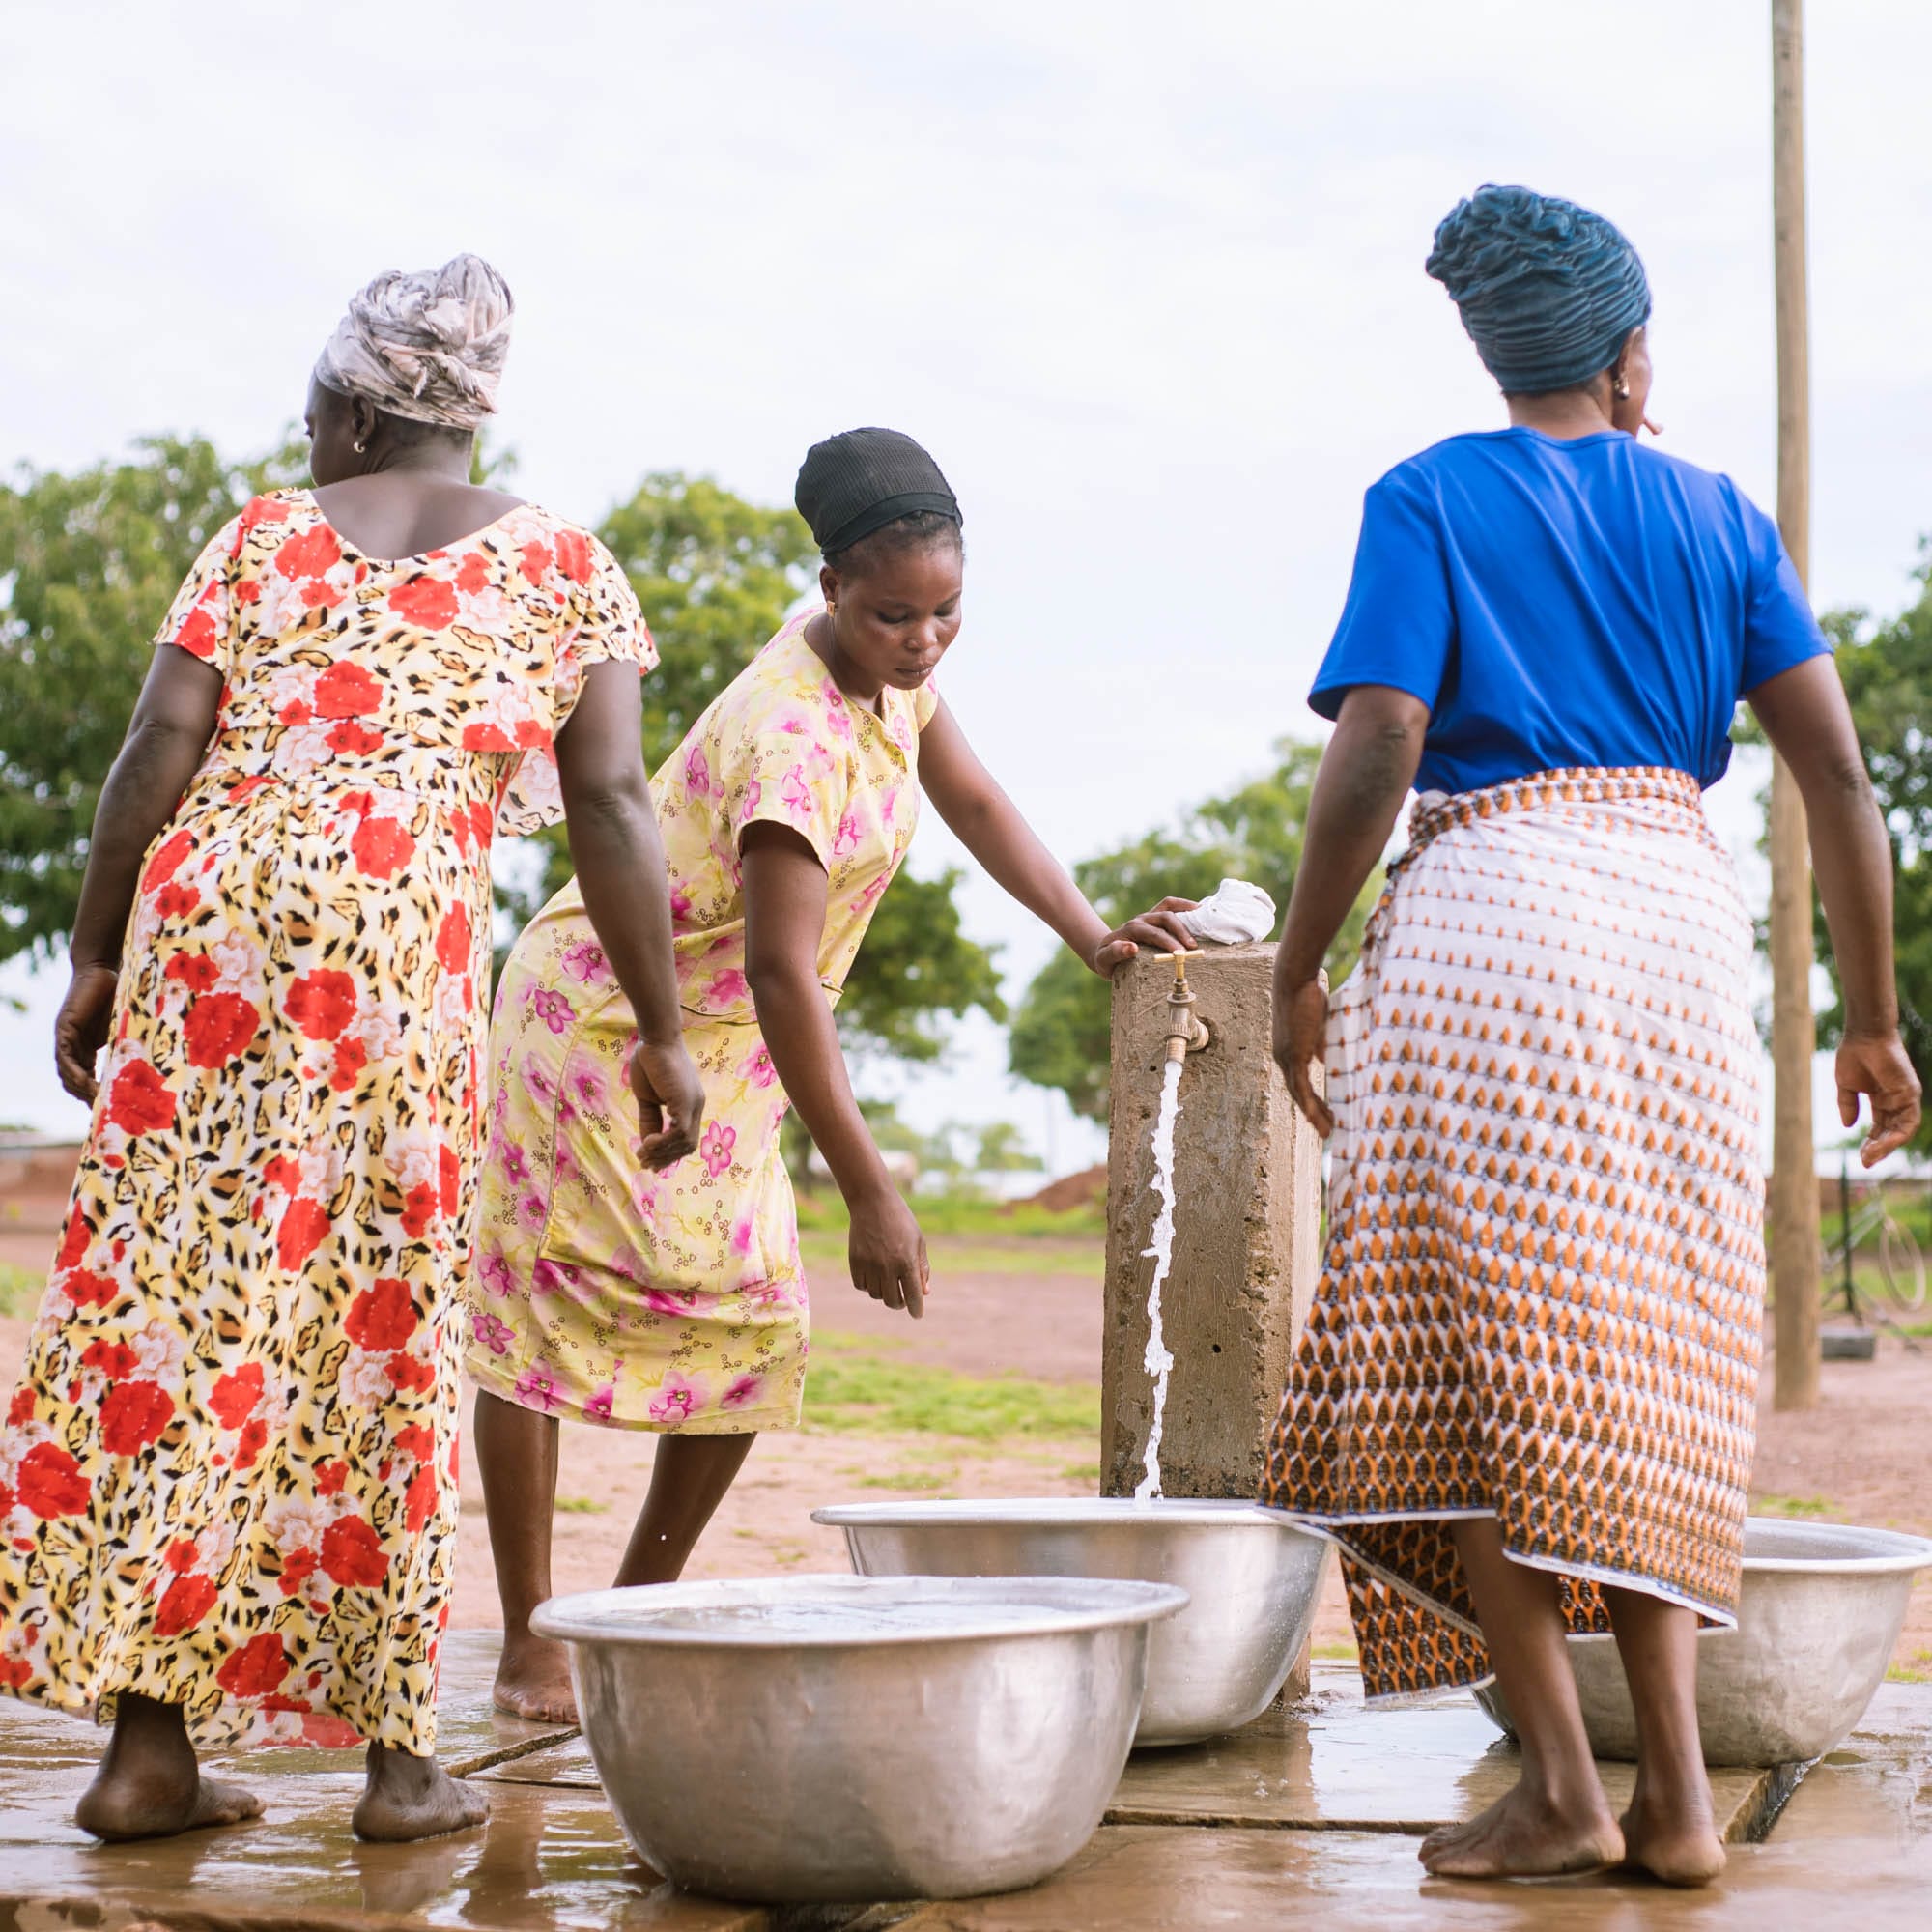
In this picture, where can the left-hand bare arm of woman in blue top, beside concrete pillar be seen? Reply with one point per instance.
(1367, 774)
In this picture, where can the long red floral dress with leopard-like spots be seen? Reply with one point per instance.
(229, 1475)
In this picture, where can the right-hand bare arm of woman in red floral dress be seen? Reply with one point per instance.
(621, 872)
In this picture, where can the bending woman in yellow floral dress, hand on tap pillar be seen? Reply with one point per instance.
(675, 1301)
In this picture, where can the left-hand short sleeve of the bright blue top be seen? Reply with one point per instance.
(1398, 627)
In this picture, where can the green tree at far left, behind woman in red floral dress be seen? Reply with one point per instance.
(88, 567)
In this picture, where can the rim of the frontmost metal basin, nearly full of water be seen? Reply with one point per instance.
(1112, 1603)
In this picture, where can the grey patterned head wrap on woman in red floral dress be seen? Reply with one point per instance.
(428, 347)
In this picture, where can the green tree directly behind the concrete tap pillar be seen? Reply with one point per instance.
(1062, 1031)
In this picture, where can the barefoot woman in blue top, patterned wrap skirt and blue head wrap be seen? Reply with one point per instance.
(1525, 1400)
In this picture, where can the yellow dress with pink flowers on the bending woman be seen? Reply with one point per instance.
(675, 1301)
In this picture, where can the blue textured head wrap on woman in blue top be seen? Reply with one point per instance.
(1548, 291)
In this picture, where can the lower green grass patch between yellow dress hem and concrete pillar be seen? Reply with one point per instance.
(859, 1388)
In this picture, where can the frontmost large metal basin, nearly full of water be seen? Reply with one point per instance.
(851, 1738)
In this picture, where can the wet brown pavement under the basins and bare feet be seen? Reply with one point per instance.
(1309, 1813)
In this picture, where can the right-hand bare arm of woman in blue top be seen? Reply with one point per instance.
(1805, 716)
